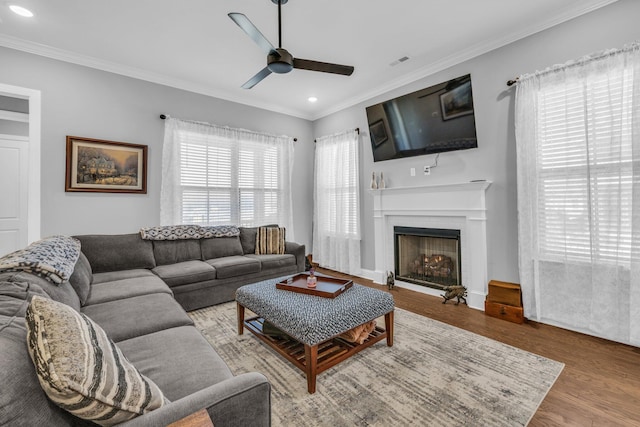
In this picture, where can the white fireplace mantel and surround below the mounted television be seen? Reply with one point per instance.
(459, 206)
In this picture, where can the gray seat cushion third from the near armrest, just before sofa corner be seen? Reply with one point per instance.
(126, 288)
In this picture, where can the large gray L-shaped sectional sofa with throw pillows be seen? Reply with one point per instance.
(137, 291)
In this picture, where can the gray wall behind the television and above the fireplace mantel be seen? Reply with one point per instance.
(494, 159)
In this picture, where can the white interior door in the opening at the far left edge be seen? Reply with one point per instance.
(14, 192)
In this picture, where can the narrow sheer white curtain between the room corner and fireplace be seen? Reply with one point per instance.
(336, 219)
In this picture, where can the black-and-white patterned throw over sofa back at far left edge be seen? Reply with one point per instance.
(53, 258)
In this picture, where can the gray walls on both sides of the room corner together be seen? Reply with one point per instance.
(86, 102)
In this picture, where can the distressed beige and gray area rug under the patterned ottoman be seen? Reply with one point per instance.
(434, 375)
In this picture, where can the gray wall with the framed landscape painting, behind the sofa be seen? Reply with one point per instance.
(81, 101)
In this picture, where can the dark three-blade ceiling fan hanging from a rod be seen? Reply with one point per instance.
(279, 60)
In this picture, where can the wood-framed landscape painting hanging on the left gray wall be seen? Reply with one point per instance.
(99, 166)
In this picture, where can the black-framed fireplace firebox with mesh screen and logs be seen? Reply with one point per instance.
(427, 256)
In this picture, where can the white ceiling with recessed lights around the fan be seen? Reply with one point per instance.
(194, 45)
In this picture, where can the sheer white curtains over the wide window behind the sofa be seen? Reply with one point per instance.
(217, 175)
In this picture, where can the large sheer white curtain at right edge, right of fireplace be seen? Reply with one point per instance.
(578, 153)
